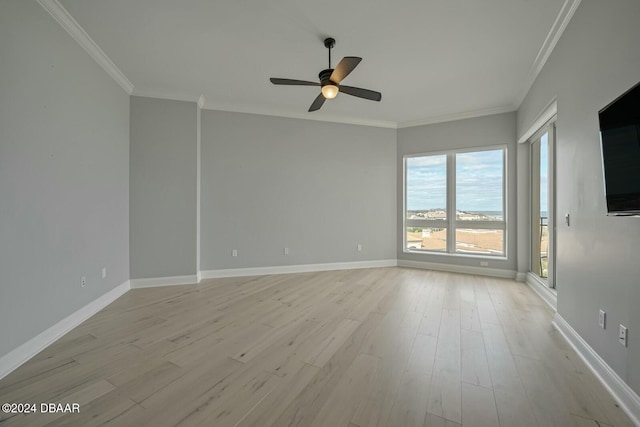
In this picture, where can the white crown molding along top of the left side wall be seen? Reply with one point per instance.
(66, 21)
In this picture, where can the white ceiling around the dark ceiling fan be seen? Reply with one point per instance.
(431, 59)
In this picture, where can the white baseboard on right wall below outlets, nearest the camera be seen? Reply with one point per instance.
(621, 392)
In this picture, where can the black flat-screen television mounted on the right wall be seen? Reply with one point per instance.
(620, 142)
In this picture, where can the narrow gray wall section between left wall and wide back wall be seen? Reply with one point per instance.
(163, 188)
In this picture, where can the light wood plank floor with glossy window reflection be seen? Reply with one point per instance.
(371, 347)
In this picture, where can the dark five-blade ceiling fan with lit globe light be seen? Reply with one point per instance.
(330, 80)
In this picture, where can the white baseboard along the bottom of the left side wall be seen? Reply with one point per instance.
(14, 359)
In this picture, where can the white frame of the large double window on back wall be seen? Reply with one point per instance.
(452, 223)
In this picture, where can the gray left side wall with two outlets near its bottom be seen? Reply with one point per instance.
(64, 173)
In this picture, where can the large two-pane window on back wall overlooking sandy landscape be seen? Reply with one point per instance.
(472, 185)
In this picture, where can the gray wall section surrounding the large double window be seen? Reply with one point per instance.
(499, 129)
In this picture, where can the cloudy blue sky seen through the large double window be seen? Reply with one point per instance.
(478, 181)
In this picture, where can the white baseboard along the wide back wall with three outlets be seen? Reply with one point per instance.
(302, 268)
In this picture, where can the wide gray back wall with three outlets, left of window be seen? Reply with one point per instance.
(317, 188)
